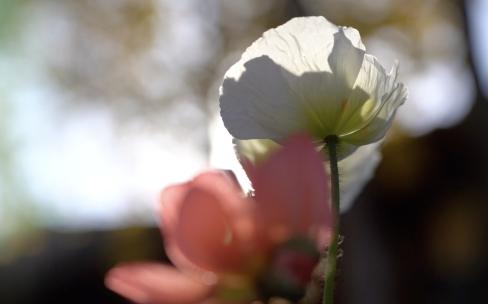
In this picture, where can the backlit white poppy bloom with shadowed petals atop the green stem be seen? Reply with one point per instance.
(309, 75)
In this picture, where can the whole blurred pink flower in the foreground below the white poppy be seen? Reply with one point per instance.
(224, 244)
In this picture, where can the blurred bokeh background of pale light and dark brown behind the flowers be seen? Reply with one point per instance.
(104, 102)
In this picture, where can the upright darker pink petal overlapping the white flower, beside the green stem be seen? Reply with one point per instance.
(292, 192)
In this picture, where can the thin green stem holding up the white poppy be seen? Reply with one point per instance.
(331, 264)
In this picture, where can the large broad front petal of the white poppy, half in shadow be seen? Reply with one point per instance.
(294, 78)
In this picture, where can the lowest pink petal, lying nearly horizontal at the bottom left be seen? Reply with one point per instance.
(155, 283)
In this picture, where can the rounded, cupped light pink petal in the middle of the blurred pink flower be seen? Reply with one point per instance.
(206, 223)
